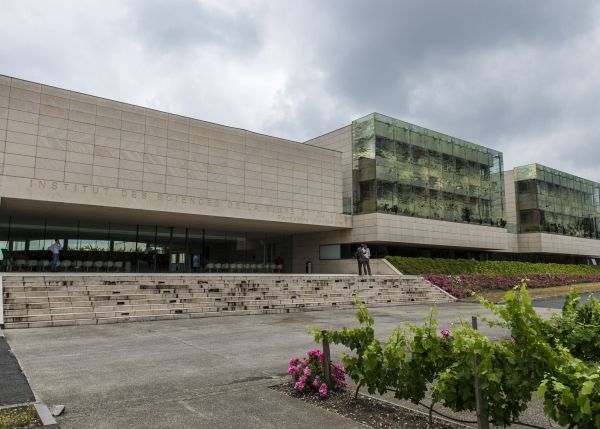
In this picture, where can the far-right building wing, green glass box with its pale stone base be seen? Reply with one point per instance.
(553, 215)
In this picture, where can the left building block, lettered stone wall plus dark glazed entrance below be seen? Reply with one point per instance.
(133, 189)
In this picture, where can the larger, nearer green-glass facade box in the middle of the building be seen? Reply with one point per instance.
(412, 171)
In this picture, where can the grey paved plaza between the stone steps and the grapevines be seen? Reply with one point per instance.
(198, 373)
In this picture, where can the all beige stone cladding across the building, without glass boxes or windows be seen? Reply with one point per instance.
(83, 156)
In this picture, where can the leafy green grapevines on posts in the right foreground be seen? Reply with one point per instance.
(536, 358)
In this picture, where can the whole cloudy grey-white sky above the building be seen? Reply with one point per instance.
(522, 77)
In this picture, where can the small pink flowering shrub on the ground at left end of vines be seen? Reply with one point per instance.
(307, 374)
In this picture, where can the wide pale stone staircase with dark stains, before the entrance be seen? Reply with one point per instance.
(59, 300)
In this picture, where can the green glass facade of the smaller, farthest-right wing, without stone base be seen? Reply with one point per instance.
(556, 202)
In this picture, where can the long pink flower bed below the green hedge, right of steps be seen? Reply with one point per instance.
(464, 285)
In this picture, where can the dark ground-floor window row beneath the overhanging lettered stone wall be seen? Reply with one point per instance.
(24, 243)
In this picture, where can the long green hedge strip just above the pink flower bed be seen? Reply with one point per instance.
(469, 266)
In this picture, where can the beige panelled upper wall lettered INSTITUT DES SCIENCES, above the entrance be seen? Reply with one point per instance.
(57, 145)
